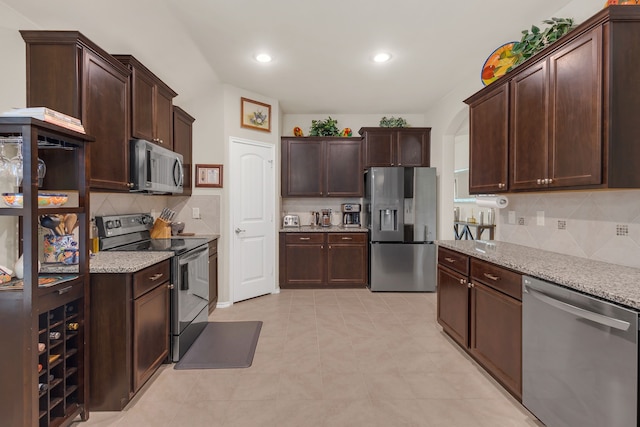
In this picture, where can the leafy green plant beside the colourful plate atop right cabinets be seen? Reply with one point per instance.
(535, 40)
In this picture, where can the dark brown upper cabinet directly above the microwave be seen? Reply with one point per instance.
(151, 104)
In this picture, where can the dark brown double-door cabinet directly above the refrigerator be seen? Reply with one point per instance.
(396, 146)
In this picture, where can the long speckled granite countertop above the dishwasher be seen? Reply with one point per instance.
(611, 282)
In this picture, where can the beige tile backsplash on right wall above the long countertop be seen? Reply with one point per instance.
(599, 225)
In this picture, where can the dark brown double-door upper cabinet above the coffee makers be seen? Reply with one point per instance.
(321, 167)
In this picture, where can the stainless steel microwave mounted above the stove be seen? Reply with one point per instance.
(155, 169)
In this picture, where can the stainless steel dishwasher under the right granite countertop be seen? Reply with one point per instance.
(579, 358)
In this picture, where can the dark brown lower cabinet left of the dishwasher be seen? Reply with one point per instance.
(483, 313)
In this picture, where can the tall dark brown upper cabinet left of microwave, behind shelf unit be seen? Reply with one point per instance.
(69, 73)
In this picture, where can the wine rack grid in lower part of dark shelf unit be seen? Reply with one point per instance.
(59, 384)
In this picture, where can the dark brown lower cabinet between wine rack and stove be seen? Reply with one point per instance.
(129, 333)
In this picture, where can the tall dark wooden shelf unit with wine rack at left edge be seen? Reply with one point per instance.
(30, 314)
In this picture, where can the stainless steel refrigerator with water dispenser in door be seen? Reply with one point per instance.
(400, 213)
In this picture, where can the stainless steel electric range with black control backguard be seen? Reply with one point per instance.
(189, 272)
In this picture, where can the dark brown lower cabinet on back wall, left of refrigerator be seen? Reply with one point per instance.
(318, 260)
